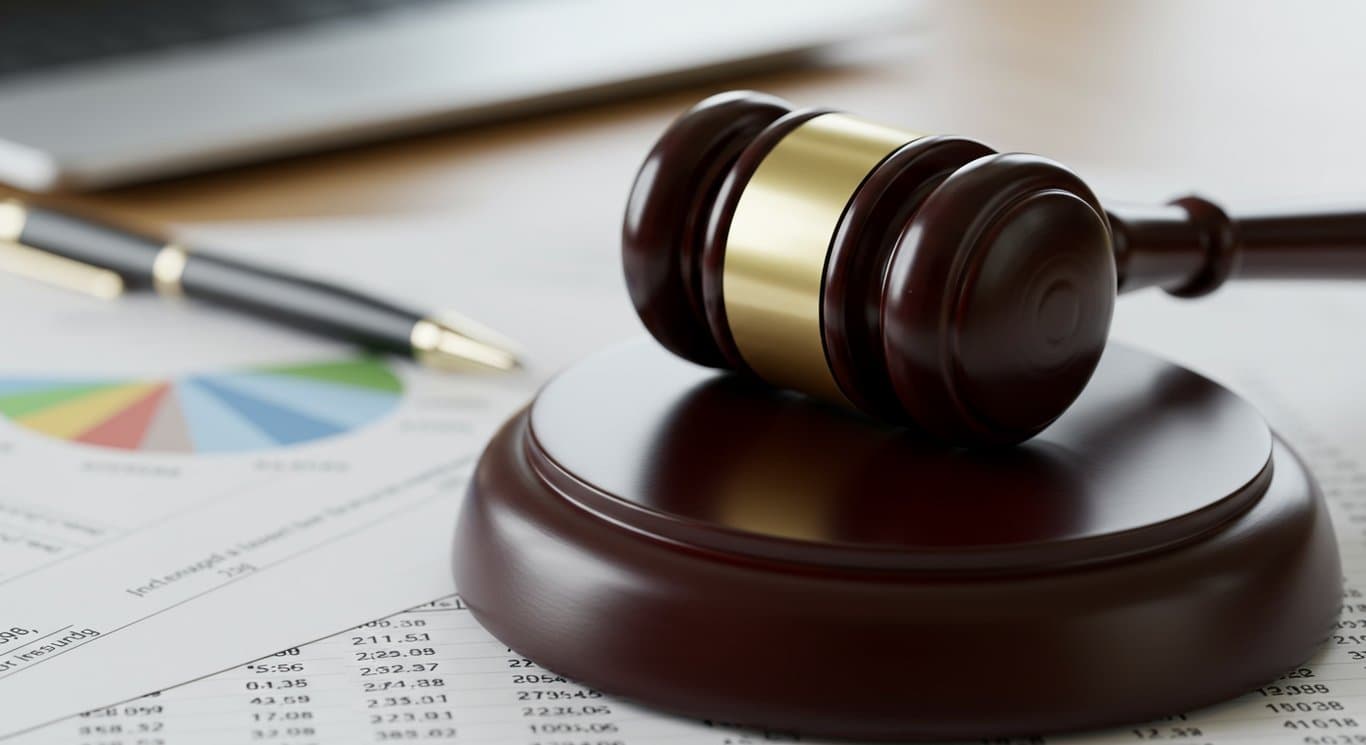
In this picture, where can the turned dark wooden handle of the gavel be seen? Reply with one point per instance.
(1192, 247)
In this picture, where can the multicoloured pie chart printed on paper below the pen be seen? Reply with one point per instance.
(230, 412)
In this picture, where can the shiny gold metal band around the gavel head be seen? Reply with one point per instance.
(779, 241)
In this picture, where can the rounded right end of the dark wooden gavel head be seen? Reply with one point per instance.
(998, 300)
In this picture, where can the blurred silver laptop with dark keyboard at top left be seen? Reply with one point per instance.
(104, 92)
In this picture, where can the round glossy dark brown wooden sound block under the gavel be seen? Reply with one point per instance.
(714, 549)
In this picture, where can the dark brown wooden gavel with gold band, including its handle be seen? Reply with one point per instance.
(927, 281)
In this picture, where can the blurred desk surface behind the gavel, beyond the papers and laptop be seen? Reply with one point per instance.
(1245, 102)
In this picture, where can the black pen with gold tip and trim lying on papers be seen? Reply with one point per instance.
(106, 262)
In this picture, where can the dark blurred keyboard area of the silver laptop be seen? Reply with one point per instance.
(42, 35)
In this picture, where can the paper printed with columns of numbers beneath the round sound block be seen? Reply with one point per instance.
(432, 675)
